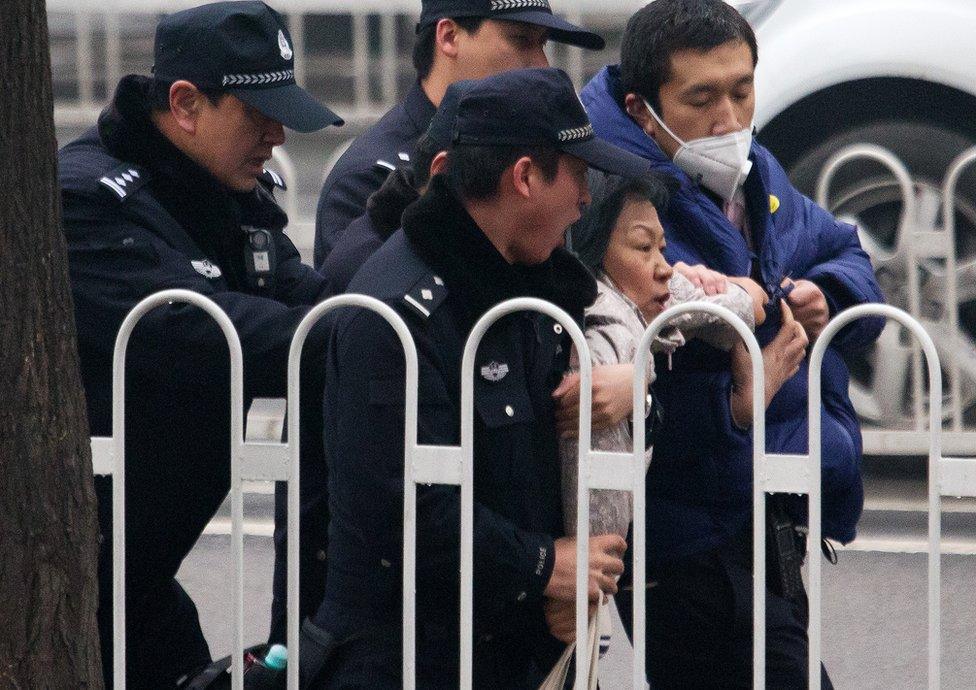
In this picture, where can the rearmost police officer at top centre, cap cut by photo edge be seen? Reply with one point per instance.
(456, 39)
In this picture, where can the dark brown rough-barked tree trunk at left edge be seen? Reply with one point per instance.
(48, 527)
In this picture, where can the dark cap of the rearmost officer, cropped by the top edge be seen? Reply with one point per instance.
(537, 12)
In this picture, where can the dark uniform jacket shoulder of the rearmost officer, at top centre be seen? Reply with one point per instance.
(365, 165)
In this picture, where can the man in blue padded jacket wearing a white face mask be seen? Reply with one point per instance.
(683, 98)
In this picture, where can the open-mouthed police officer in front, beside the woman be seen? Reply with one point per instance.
(489, 229)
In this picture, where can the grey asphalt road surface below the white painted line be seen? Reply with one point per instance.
(874, 614)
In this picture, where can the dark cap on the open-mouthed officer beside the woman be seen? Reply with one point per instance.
(537, 107)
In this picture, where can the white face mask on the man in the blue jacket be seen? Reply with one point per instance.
(719, 163)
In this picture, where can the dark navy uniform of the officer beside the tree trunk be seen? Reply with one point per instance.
(140, 217)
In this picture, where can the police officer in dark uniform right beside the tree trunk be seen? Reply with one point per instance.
(169, 191)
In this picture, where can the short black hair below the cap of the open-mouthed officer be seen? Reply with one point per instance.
(475, 171)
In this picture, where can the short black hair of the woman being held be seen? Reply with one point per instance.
(611, 193)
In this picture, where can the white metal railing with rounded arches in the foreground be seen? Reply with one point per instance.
(448, 465)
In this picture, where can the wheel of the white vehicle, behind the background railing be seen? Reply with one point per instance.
(867, 193)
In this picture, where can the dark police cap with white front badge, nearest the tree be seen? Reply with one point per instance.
(242, 48)
